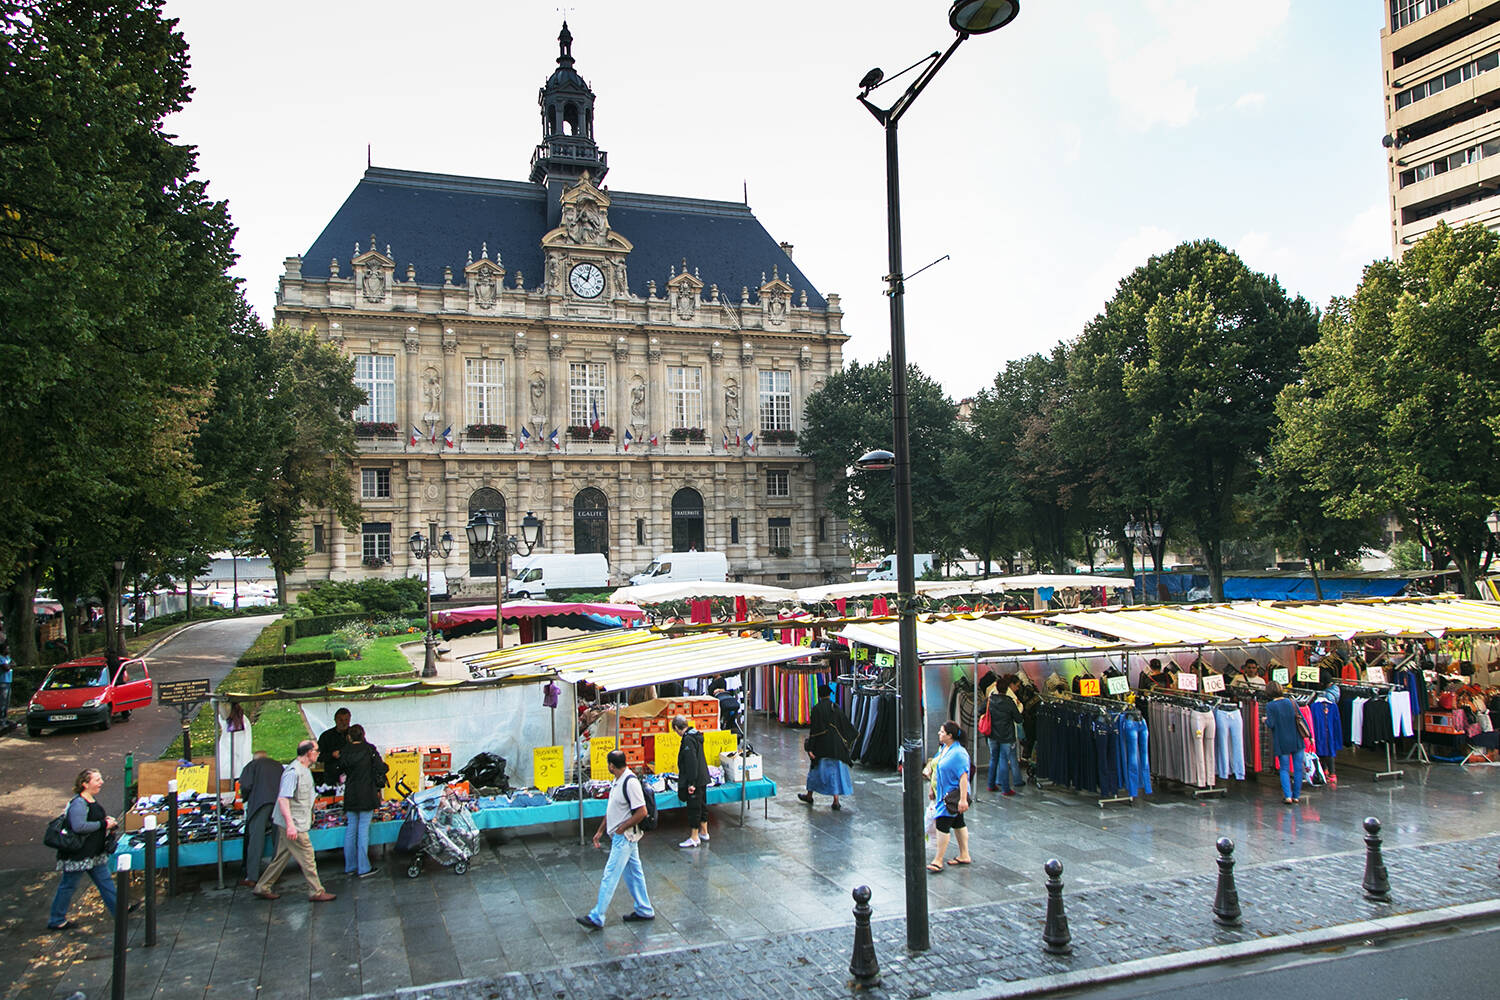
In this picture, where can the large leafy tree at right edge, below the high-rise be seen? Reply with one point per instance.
(1400, 409)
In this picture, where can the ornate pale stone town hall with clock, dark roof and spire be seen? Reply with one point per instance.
(629, 368)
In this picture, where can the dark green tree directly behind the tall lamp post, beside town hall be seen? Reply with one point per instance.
(851, 416)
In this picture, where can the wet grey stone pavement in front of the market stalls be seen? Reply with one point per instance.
(764, 909)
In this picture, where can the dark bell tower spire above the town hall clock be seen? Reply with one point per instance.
(568, 131)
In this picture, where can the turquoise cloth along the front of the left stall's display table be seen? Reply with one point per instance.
(332, 837)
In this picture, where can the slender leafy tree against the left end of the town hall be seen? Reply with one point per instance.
(307, 442)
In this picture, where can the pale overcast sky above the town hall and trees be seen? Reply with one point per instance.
(1049, 160)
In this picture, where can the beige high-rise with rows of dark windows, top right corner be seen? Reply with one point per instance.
(1441, 61)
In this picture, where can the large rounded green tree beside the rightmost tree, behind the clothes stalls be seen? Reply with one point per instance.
(1189, 356)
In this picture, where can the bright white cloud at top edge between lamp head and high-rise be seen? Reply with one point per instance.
(1151, 62)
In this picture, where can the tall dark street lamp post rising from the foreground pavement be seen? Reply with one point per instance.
(967, 17)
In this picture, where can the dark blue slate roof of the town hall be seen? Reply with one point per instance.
(436, 221)
